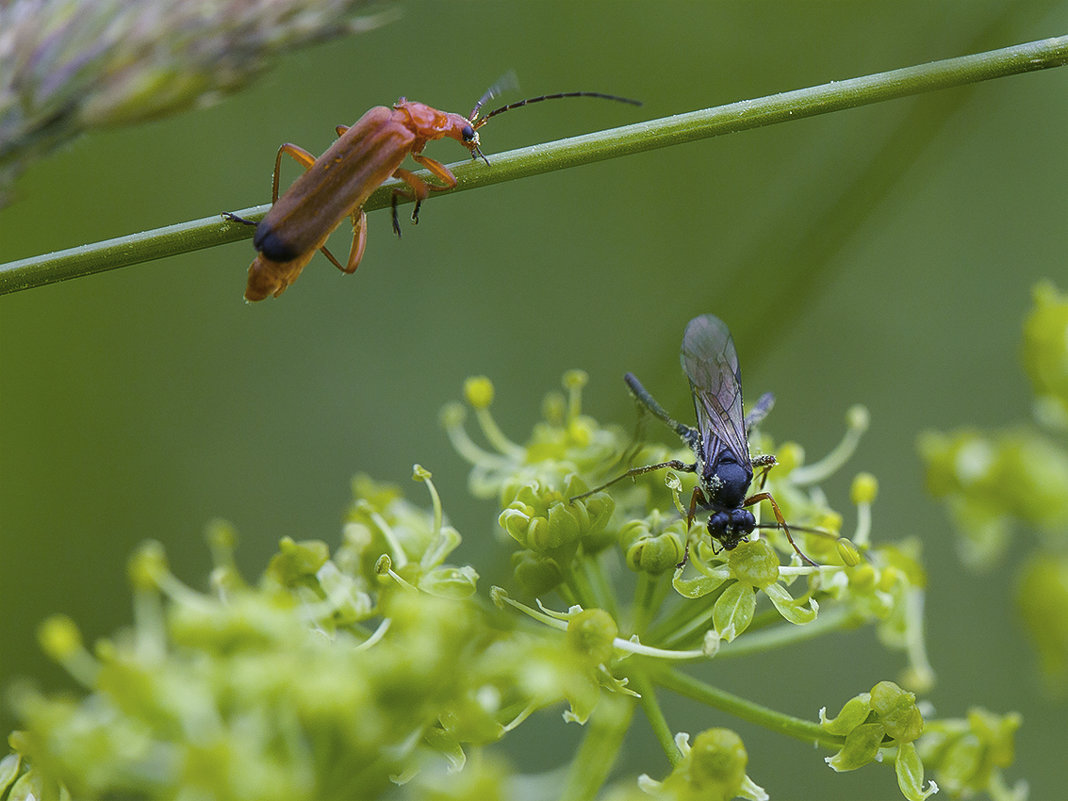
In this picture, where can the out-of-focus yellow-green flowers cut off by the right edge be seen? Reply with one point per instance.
(997, 482)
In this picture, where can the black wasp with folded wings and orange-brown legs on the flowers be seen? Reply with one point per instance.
(720, 443)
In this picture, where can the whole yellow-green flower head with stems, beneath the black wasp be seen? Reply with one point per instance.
(348, 670)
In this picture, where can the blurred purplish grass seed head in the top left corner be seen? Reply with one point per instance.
(68, 67)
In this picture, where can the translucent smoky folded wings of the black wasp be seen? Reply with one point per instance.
(712, 365)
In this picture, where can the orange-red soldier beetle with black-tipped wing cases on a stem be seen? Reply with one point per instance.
(338, 184)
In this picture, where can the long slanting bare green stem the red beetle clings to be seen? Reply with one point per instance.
(744, 116)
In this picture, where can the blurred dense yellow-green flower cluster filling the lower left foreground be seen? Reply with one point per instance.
(336, 674)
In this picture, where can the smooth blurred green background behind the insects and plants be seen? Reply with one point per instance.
(883, 256)
